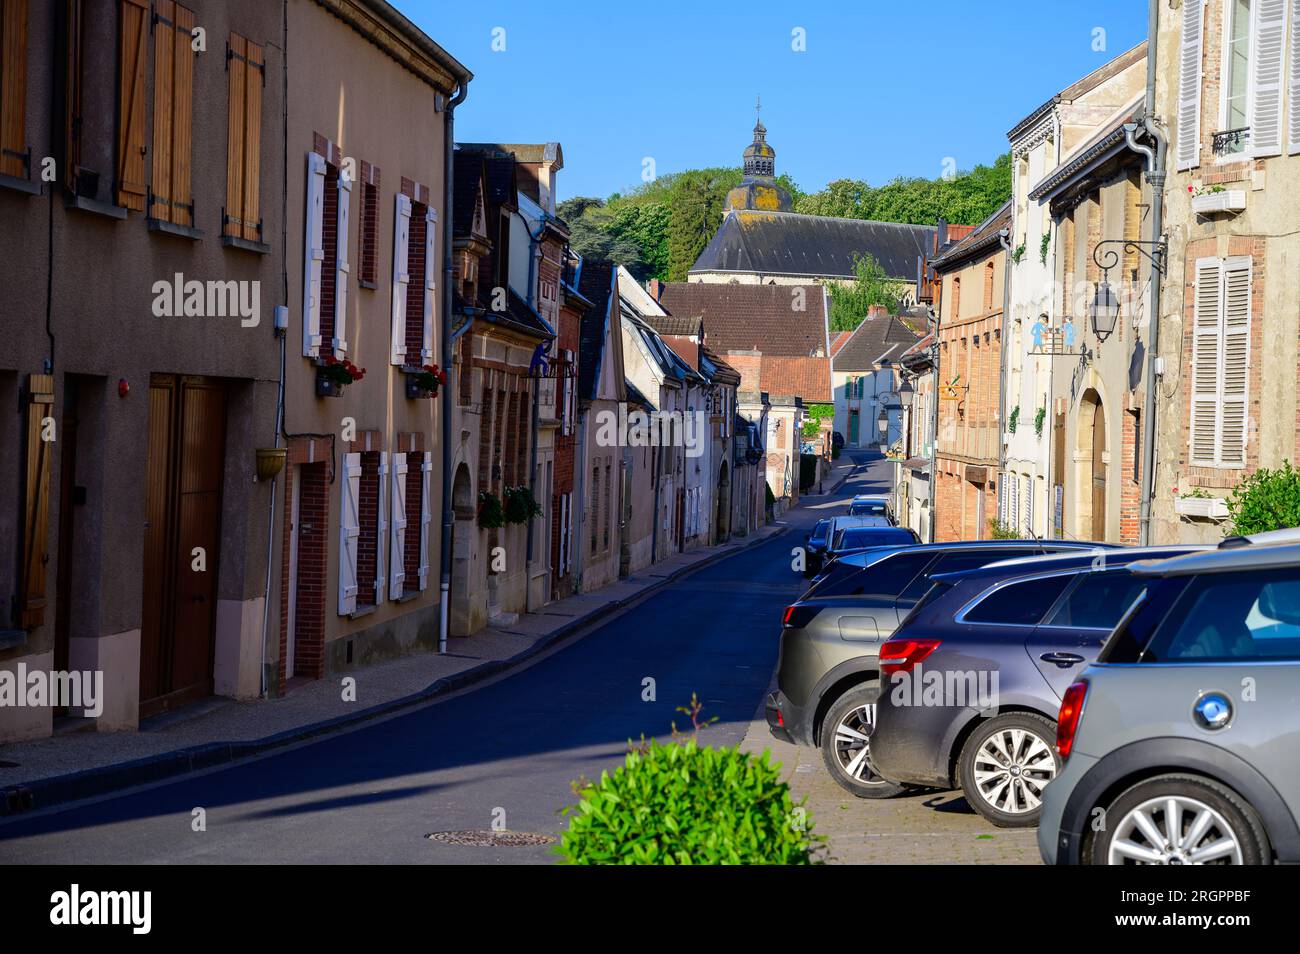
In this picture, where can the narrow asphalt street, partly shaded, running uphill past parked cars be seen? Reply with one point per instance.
(506, 751)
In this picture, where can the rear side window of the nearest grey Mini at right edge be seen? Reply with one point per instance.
(1233, 617)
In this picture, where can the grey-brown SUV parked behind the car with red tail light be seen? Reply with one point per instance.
(827, 674)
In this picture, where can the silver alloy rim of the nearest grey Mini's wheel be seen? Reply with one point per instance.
(1175, 830)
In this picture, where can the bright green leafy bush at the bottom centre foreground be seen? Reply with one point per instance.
(688, 805)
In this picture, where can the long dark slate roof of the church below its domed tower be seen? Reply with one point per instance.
(791, 244)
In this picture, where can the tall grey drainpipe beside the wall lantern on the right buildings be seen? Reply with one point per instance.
(1156, 174)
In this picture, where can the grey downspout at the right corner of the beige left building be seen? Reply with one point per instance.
(450, 366)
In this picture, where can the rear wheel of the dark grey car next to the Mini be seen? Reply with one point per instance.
(1006, 765)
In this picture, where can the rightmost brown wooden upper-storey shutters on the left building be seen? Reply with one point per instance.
(246, 77)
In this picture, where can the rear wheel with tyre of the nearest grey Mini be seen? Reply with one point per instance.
(1180, 819)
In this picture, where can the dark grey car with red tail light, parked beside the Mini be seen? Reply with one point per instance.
(977, 671)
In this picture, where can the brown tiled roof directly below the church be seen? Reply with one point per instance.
(753, 318)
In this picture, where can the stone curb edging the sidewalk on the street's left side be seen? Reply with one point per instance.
(44, 793)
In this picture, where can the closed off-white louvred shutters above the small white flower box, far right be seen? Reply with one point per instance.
(1221, 353)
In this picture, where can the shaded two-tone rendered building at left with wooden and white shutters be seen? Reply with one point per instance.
(205, 505)
